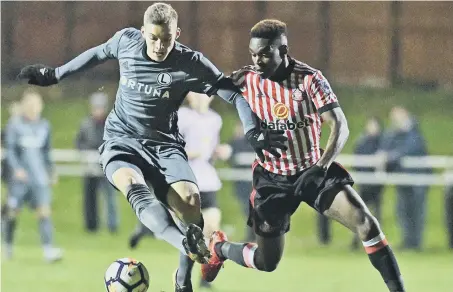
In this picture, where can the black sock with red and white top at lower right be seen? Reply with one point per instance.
(383, 259)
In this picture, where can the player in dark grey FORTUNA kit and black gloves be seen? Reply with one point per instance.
(143, 155)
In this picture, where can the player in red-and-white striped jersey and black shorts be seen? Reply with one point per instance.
(286, 94)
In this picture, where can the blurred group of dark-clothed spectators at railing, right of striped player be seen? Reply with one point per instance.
(402, 138)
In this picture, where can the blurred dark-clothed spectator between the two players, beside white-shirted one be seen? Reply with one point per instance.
(242, 188)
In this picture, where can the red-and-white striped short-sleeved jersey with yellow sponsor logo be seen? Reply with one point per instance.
(294, 105)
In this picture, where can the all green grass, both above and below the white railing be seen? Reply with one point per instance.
(306, 266)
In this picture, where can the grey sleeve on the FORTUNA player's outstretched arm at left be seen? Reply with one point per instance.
(91, 57)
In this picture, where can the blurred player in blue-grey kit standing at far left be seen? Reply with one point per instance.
(28, 156)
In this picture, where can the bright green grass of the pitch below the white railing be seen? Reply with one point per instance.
(306, 266)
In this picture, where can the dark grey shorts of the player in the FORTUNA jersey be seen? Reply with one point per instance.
(160, 165)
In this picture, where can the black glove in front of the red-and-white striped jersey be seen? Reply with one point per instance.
(266, 140)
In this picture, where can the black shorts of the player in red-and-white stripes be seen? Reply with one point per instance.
(272, 201)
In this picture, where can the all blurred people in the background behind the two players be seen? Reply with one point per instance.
(28, 171)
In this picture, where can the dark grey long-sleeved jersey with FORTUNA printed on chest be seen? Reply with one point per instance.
(149, 92)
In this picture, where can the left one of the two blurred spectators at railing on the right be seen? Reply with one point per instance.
(368, 144)
